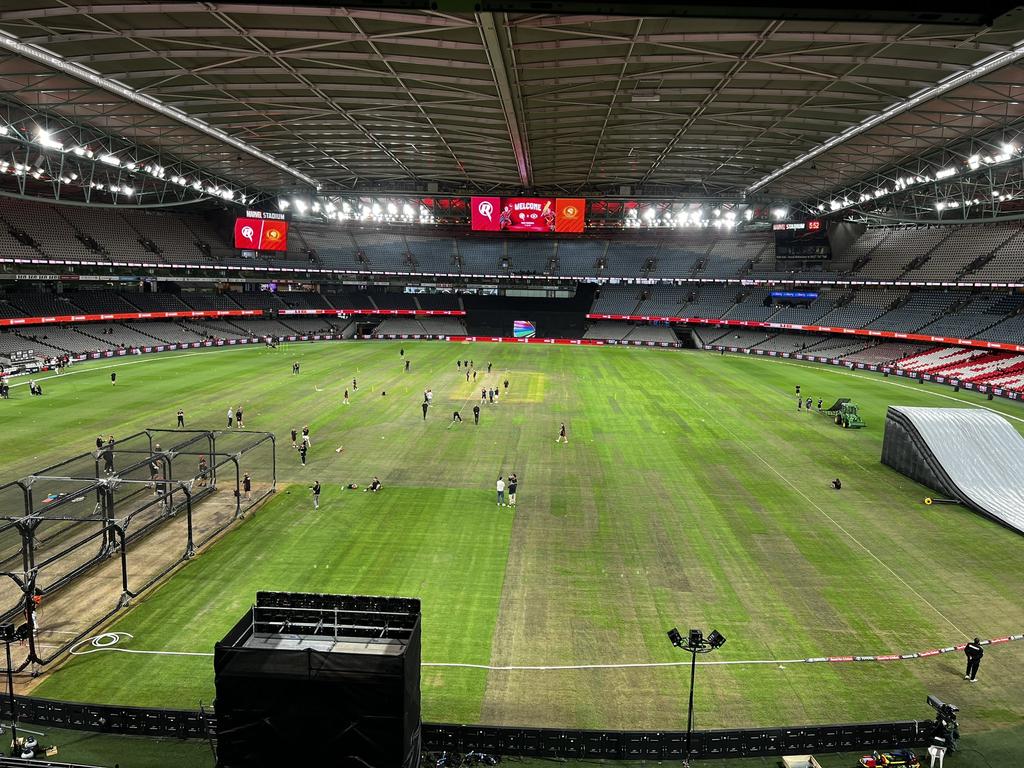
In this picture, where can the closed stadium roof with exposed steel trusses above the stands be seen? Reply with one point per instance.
(364, 99)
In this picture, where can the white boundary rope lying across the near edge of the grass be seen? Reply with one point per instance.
(109, 642)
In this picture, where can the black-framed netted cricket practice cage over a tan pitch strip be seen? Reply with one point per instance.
(97, 514)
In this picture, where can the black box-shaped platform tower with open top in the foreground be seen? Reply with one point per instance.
(342, 670)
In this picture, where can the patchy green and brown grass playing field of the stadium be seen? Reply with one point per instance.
(692, 493)
